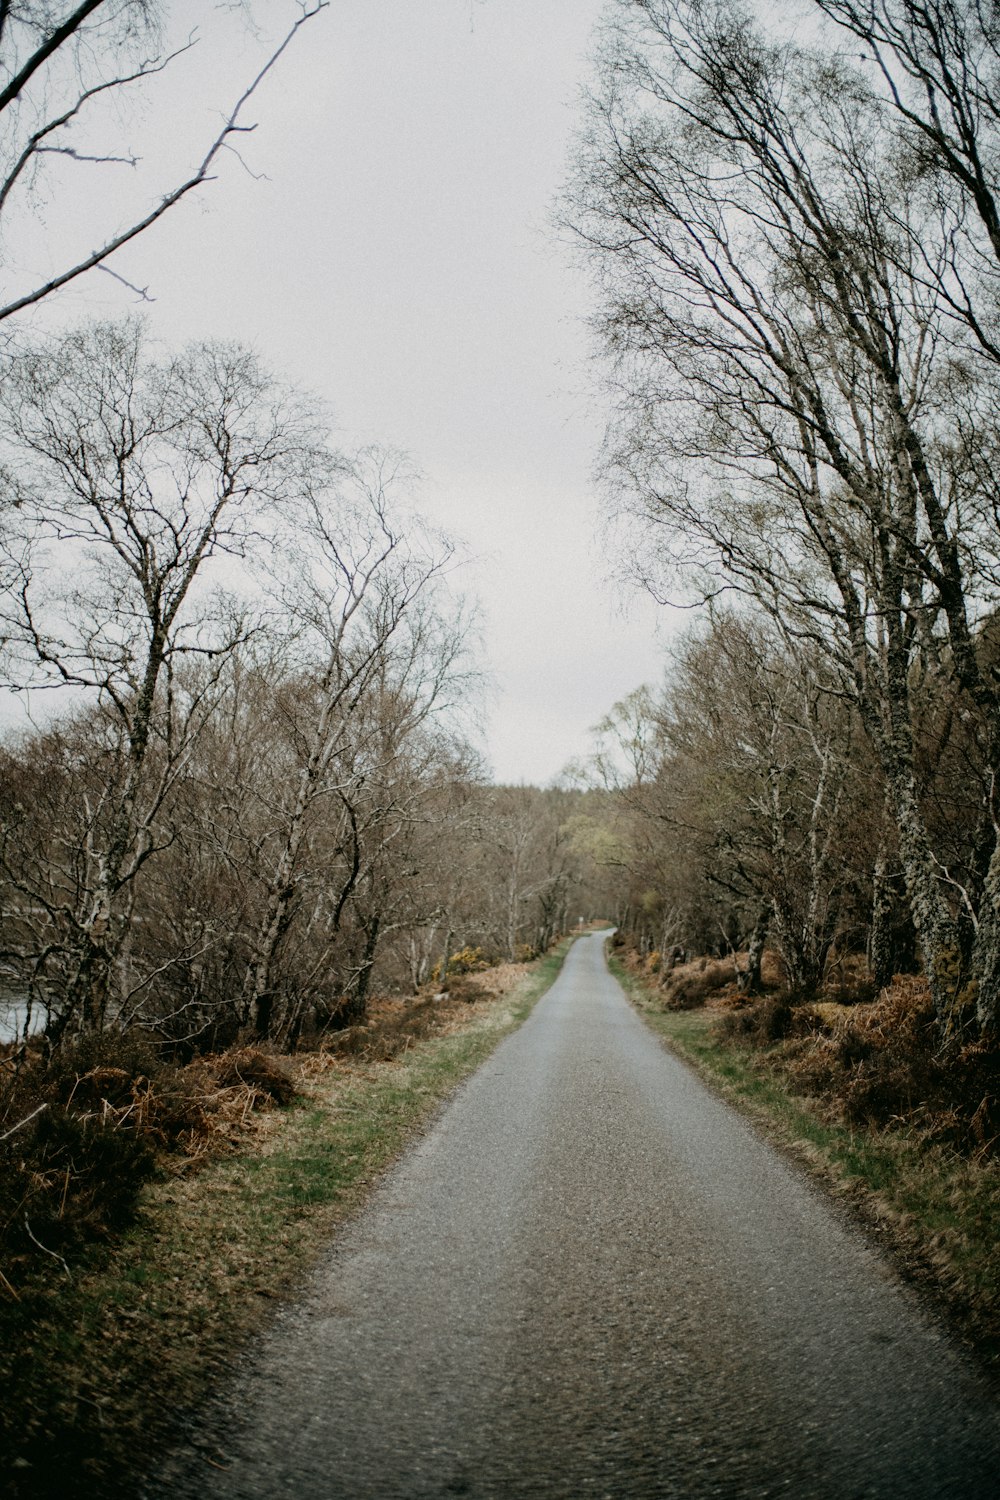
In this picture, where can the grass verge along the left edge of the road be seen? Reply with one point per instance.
(95, 1363)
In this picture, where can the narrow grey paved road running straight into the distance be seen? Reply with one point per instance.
(591, 1279)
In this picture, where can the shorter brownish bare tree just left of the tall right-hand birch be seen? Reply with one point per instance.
(770, 766)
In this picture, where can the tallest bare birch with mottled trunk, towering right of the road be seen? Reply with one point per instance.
(788, 374)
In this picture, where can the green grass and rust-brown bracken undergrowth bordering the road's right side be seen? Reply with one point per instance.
(924, 1180)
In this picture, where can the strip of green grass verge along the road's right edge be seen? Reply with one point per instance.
(935, 1211)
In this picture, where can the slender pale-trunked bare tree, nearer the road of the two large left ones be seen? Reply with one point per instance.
(376, 659)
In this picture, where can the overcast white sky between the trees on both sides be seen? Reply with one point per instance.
(397, 260)
